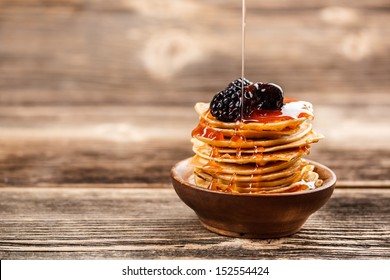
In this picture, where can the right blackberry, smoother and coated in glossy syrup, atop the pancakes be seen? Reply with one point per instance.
(269, 96)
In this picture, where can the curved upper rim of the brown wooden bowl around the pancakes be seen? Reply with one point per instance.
(329, 183)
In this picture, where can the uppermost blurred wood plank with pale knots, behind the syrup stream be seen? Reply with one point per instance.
(56, 55)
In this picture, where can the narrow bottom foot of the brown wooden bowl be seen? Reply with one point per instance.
(249, 235)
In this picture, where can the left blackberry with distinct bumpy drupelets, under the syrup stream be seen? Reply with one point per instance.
(226, 104)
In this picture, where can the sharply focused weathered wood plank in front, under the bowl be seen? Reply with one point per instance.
(140, 223)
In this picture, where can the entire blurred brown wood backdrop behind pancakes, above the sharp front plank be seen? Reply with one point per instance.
(90, 87)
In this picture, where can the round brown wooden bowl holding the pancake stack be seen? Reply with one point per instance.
(252, 215)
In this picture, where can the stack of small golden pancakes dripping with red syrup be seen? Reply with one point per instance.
(263, 155)
